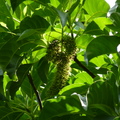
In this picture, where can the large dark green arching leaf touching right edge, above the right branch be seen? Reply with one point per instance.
(102, 45)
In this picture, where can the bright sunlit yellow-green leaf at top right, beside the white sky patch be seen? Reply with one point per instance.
(96, 8)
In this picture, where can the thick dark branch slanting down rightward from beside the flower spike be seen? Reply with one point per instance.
(83, 67)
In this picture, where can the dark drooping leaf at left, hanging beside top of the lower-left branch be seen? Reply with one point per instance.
(22, 72)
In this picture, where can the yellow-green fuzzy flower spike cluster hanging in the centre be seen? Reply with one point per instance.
(60, 53)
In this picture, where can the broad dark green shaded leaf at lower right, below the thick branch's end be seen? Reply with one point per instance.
(100, 93)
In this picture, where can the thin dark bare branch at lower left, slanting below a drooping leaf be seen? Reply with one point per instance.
(35, 90)
